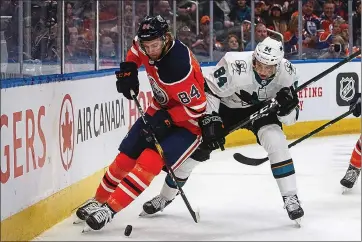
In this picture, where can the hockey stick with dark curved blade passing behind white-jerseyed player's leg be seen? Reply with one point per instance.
(255, 162)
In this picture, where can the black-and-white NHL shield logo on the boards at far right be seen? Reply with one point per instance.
(347, 87)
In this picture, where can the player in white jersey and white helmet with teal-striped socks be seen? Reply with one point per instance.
(238, 86)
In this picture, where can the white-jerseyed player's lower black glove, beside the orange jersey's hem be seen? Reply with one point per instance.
(213, 132)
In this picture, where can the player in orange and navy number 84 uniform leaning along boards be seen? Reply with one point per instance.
(175, 114)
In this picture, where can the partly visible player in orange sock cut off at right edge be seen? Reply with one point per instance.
(354, 167)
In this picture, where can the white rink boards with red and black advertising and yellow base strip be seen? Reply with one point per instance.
(58, 138)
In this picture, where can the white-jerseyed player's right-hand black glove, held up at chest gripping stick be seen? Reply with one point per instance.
(287, 99)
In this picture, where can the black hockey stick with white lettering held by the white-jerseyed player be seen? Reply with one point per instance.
(271, 104)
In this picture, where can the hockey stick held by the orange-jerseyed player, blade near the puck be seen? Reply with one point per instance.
(195, 215)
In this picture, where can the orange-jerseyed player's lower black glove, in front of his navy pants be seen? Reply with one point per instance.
(160, 123)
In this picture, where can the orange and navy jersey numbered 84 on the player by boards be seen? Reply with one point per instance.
(177, 84)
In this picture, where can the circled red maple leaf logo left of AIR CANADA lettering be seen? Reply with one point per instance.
(66, 132)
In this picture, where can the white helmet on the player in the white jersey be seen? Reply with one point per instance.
(269, 51)
